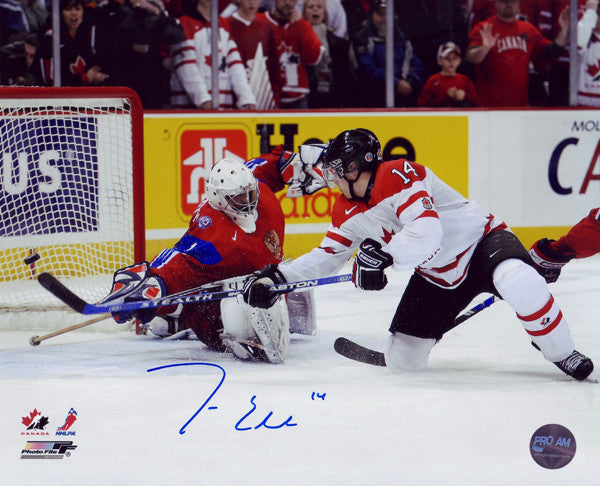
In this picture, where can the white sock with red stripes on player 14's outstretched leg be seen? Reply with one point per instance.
(527, 293)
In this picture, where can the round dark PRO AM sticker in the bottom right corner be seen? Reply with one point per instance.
(552, 446)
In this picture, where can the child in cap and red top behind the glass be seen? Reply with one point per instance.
(448, 88)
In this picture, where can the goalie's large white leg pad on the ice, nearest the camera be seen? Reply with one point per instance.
(253, 333)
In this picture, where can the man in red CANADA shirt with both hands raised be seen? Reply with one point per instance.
(501, 47)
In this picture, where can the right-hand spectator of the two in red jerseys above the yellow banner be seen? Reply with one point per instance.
(297, 47)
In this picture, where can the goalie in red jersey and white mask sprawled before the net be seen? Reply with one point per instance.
(237, 229)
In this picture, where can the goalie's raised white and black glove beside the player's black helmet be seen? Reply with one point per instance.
(302, 172)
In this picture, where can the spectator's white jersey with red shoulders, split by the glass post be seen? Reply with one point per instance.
(191, 79)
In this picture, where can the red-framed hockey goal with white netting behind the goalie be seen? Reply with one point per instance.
(71, 190)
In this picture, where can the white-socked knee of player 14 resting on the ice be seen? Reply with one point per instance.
(407, 353)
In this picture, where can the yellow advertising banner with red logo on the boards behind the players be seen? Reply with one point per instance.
(181, 148)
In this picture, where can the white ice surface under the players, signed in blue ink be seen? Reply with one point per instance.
(467, 419)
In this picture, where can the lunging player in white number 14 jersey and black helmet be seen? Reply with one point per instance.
(399, 214)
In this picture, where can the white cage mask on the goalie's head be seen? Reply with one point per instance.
(232, 188)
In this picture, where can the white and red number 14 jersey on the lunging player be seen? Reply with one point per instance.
(421, 221)
